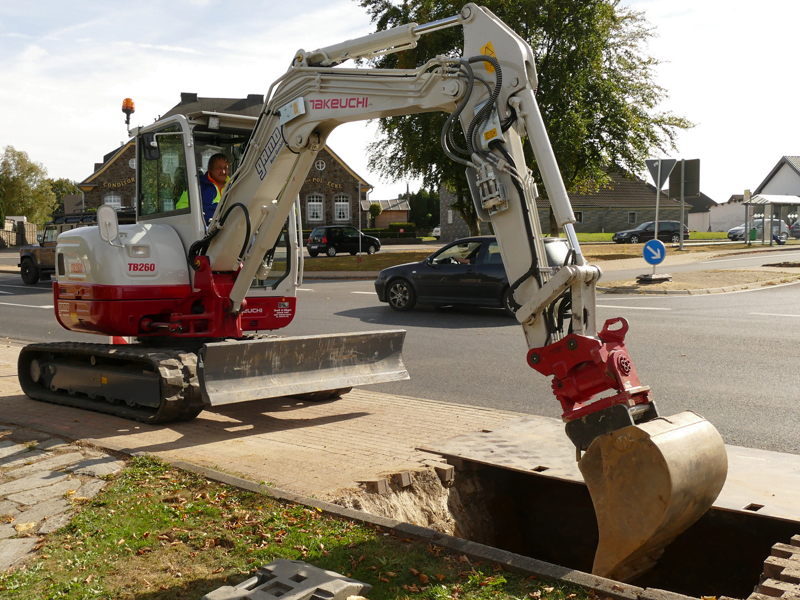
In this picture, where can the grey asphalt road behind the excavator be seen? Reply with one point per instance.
(730, 357)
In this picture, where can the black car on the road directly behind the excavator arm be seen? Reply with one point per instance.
(466, 272)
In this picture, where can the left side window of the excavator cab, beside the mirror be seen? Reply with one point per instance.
(163, 182)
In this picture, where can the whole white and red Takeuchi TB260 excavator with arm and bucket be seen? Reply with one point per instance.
(199, 300)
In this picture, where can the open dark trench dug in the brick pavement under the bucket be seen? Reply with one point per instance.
(553, 520)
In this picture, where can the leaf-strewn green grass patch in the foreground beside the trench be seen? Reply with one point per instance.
(161, 533)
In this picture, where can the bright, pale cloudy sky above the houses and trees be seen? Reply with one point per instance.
(728, 66)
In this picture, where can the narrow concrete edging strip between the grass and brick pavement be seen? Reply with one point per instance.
(511, 561)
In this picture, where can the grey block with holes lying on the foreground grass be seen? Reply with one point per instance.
(292, 580)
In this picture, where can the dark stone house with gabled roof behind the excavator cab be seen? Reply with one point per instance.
(333, 193)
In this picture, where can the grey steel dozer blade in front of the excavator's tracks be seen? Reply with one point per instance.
(242, 370)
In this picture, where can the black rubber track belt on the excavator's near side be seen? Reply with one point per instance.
(180, 390)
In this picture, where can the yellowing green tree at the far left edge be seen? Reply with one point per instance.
(25, 188)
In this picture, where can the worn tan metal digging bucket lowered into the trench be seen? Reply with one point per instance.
(649, 483)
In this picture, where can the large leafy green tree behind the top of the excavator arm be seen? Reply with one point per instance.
(596, 92)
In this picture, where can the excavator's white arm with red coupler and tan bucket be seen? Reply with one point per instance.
(650, 477)
